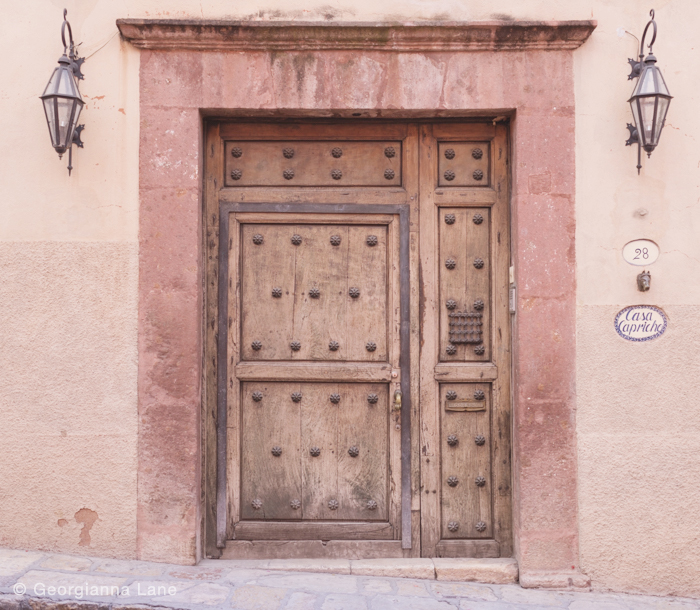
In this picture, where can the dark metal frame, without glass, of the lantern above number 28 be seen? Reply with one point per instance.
(639, 69)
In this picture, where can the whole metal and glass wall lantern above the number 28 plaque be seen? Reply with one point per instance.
(650, 100)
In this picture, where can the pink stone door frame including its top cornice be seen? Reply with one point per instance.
(521, 70)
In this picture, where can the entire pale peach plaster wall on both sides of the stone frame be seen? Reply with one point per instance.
(69, 282)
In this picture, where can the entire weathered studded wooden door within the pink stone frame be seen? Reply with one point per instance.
(357, 396)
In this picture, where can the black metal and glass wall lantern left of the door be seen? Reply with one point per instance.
(62, 100)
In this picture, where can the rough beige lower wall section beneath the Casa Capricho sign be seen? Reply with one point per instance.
(638, 423)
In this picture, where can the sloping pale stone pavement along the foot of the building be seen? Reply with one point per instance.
(66, 582)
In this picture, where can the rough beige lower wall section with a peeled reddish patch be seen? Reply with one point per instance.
(68, 364)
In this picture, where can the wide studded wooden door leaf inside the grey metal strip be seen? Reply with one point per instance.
(319, 441)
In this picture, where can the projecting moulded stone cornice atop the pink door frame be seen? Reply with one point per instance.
(196, 35)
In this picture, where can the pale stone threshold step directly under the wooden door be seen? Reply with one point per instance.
(488, 571)
